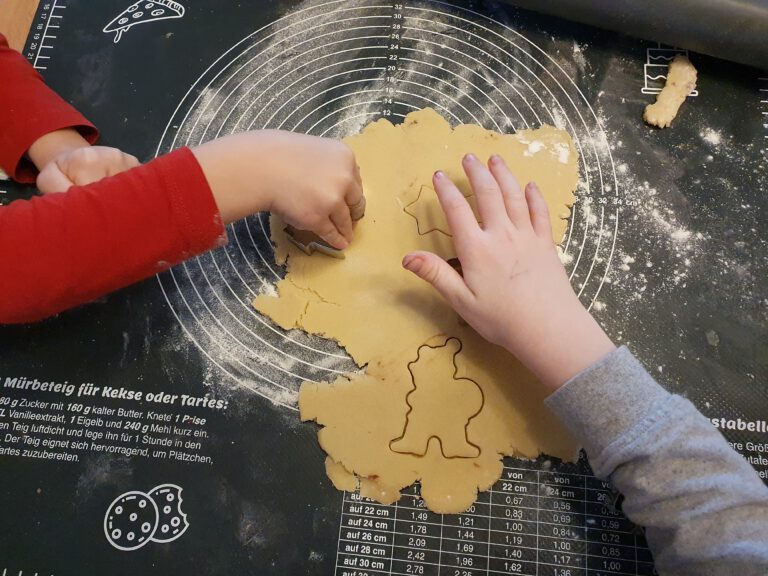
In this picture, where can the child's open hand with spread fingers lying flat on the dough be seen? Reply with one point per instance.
(514, 290)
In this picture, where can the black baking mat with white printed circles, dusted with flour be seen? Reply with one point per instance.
(666, 245)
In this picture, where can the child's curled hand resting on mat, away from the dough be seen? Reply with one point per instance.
(82, 166)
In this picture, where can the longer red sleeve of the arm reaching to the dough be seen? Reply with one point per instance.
(61, 250)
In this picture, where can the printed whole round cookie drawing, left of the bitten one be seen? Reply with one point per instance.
(131, 520)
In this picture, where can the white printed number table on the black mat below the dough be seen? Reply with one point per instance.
(533, 522)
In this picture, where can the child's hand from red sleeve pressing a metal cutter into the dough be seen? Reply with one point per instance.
(310, 182)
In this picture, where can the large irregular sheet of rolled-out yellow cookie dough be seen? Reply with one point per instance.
(383, 316)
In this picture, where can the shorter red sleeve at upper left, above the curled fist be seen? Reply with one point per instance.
(29, 110)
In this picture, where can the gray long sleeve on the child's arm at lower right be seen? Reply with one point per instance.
(704, 508)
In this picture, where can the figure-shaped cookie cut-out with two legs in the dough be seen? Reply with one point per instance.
(440, 405)
